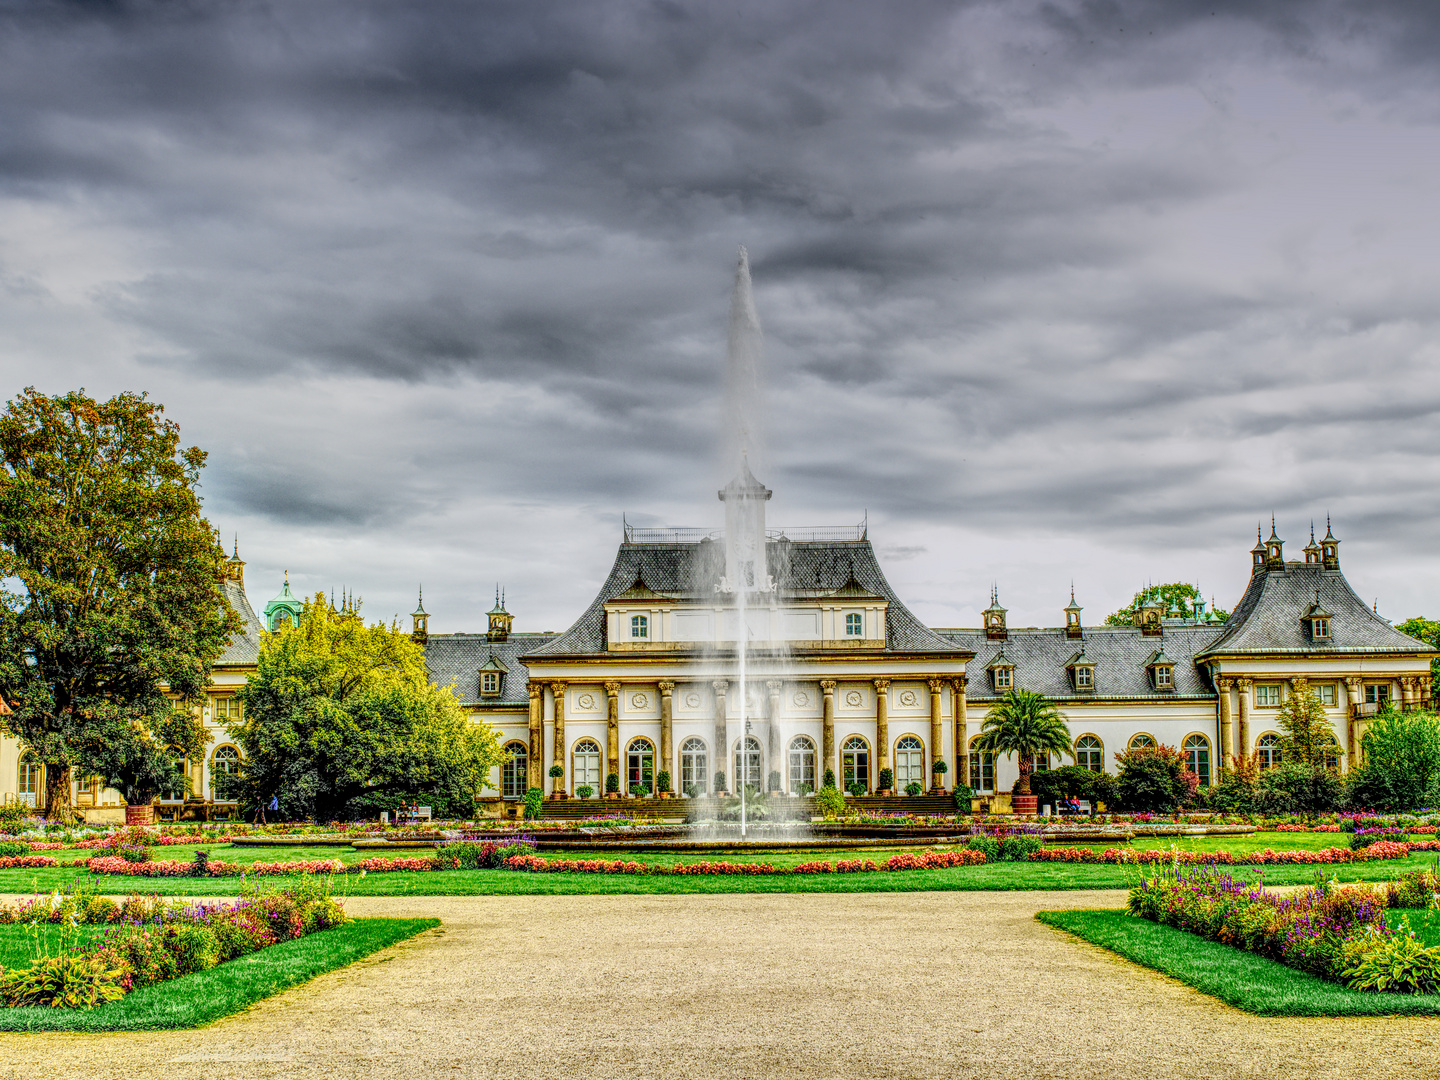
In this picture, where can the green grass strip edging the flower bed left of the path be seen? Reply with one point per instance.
(207, 997)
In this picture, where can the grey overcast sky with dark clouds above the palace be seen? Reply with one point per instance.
(1055, 292)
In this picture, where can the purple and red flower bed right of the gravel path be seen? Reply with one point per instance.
(1333, 932)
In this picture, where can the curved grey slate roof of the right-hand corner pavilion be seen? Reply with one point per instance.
(1268, 618)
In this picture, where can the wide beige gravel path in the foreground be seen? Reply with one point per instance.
(819, 986)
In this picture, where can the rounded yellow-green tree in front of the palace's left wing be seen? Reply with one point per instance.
(342, 721)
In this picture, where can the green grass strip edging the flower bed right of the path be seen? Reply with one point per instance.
(1236, 977)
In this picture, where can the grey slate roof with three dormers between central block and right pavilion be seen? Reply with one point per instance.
(1118, 654)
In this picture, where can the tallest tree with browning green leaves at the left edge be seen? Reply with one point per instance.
(113, 591)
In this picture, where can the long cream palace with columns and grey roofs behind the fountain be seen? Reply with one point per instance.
(845, 678)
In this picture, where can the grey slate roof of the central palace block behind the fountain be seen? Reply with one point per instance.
(803, 570)
